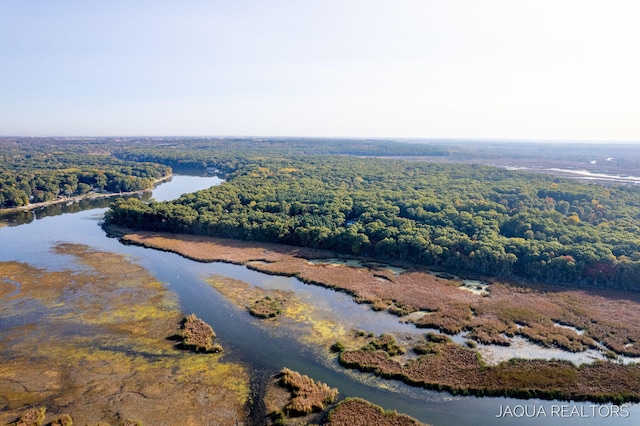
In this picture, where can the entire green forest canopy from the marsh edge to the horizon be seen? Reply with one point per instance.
(334, 194)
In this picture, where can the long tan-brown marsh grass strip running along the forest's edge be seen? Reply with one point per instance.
(609, 317)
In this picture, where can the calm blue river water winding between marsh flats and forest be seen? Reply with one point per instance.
(33, 236)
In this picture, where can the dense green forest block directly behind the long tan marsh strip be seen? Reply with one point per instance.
(461, 218)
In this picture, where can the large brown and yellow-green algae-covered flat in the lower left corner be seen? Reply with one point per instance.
(91, 342)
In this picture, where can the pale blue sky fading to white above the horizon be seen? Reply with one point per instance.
(479, 69)
